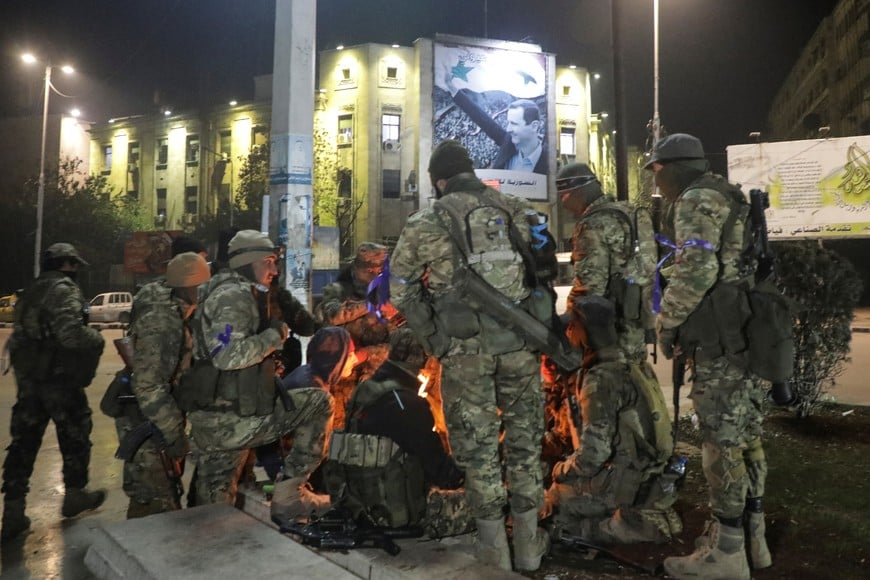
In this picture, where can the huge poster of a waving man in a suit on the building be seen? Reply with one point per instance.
(494, 101)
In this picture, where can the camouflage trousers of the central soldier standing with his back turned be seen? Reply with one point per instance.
(483, 393)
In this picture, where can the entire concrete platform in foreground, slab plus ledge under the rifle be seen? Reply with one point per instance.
(211, 541)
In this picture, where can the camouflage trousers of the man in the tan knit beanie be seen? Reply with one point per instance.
(145, 481)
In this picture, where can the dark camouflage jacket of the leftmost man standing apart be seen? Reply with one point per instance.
(53, 309)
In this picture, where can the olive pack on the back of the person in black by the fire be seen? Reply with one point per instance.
(371, 475)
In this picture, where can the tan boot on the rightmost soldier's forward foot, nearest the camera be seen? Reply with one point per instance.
(721, 557)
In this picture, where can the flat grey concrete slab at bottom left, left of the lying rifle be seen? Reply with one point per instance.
(207, 542)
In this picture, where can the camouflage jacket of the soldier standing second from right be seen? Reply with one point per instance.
(602, 248)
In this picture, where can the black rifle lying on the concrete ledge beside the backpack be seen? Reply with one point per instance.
(337, 531)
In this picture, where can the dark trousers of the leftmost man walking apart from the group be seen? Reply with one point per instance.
(36, 404)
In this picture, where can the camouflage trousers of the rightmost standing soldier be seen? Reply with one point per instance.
(728, 403)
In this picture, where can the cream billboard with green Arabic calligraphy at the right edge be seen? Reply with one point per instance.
(818, 188)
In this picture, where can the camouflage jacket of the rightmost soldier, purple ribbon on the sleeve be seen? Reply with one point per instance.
(699, 214)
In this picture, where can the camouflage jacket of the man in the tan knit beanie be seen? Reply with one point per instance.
(162, 352)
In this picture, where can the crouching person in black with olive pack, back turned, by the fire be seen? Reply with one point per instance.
(390, 488)
